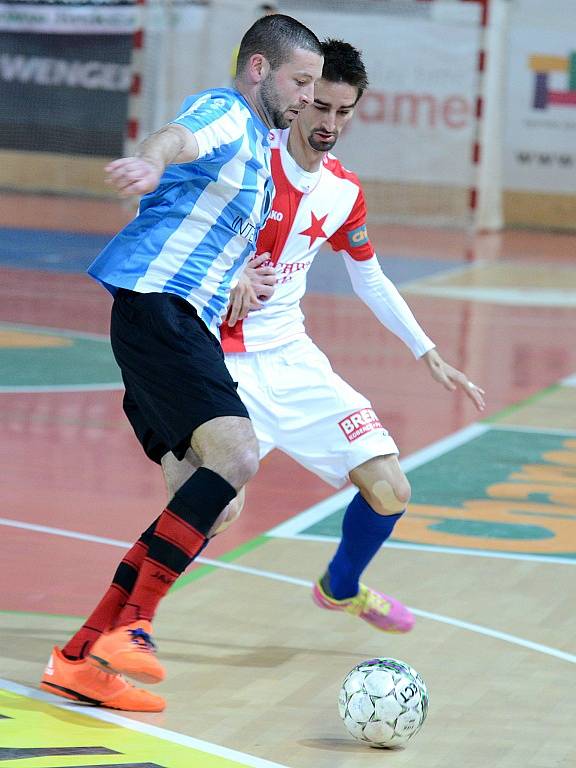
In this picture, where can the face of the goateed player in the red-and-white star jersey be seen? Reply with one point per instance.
(321, 123)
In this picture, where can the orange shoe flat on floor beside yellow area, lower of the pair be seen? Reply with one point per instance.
(86, 684)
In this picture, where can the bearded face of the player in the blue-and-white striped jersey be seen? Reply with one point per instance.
(287, 90)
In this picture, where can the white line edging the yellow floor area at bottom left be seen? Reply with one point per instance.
(150, 730)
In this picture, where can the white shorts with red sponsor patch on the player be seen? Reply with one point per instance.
(299, 405)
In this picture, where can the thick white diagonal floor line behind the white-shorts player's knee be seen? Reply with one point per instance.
(327, 507)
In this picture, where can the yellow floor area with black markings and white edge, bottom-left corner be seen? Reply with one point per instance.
(35, 726)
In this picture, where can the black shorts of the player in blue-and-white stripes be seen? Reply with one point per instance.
(173, 370)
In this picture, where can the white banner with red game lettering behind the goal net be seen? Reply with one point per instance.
(416, 123)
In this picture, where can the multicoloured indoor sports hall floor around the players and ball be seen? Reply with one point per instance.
(486, 557)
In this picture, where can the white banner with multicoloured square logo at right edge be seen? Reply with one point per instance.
(540, 124)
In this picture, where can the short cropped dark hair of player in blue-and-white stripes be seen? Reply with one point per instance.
(276, 37)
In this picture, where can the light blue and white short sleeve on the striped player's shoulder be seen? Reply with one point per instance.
(215, 119)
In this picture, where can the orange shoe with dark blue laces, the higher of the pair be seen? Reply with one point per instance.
(130, 651)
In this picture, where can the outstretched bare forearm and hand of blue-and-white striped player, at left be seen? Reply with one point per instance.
(141, 173)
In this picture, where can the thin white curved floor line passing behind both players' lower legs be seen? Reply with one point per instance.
(495, 634)
